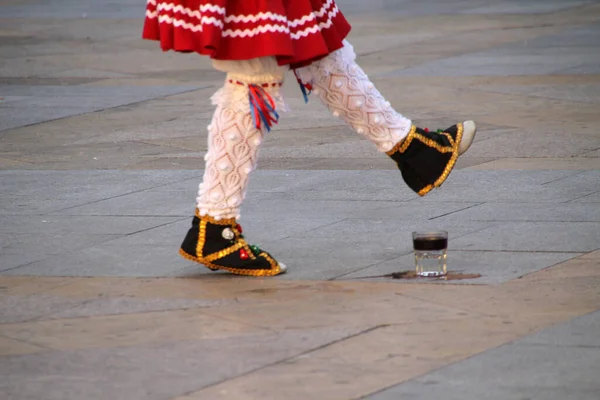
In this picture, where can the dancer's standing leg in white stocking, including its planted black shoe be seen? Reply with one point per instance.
(234, 137)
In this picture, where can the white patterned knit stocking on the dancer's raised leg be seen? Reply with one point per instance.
(348, 93)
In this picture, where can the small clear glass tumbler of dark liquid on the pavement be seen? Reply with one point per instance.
(430, 253)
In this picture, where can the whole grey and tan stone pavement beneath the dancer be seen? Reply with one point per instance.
(101, 144)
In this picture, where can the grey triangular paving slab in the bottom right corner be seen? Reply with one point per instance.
(528, 370)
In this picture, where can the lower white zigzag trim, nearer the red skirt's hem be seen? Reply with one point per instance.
(245, 32)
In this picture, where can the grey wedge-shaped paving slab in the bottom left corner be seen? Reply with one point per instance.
(170, 369)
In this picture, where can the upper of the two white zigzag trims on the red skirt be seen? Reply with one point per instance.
(261, 16)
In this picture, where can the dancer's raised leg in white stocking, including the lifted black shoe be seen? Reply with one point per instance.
(425, 158)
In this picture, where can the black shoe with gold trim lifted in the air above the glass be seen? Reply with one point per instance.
(425, 158)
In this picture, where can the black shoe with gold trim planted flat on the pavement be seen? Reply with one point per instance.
(220, 245)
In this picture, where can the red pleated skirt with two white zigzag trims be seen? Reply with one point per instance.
(296, 32)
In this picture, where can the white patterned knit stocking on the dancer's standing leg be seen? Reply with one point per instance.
(233, 143)
